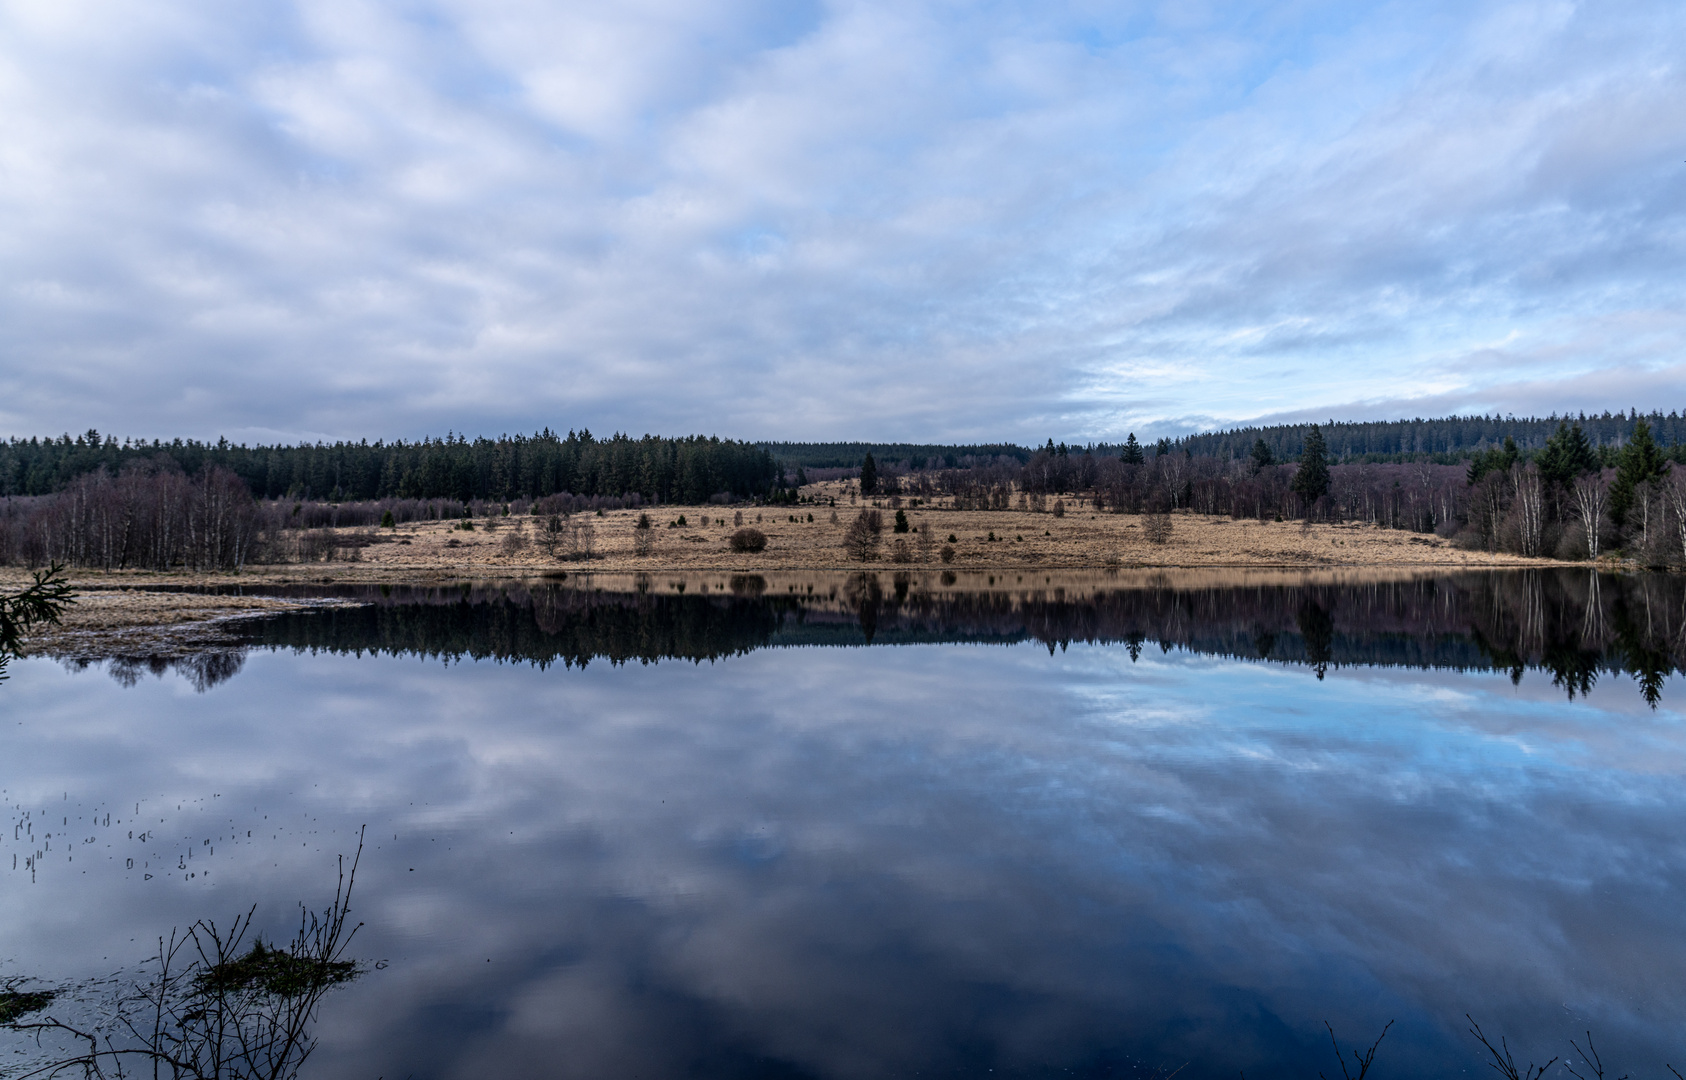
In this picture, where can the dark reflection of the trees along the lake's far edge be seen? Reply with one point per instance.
(1574, 624)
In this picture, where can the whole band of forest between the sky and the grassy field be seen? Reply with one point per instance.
(1613, 486)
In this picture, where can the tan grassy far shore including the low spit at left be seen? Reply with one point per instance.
(178, 612)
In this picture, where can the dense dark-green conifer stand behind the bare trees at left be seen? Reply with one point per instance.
(685, 471)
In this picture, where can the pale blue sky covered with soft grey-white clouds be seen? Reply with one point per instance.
(871, 220)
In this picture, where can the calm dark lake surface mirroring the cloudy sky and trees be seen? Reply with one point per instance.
(898, 826)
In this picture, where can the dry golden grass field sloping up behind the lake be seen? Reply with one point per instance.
(812, 540)
